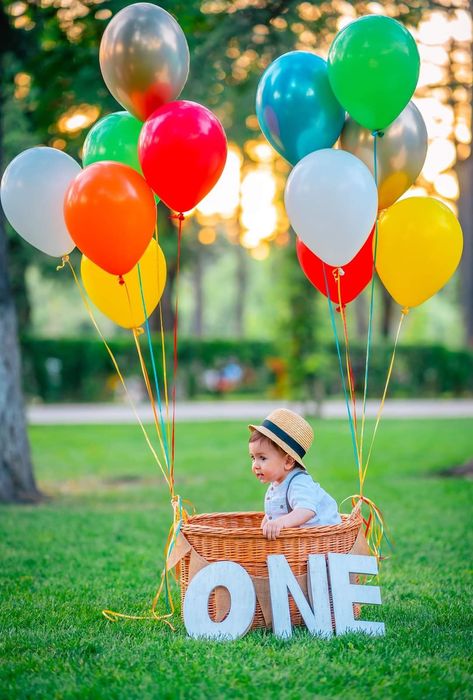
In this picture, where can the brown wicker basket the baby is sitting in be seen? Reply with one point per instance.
(237, 537)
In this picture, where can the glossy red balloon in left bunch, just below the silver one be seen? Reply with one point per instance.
(182, 152)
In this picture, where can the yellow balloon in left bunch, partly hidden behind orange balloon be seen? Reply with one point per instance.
(122, 303)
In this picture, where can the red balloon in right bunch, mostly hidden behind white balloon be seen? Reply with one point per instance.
(357, 273)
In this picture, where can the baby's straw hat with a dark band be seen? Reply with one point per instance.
(288, 430)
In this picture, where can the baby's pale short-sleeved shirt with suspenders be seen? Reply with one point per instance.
(301, 491)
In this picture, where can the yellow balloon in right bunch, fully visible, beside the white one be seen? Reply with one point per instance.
(419, 246)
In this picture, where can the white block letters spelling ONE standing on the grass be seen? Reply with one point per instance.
(315, 611)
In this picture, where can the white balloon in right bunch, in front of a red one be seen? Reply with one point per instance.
(331, 201)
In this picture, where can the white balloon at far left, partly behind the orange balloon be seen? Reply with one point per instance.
(32, 194)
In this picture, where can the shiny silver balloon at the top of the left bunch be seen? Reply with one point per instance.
(144, 58)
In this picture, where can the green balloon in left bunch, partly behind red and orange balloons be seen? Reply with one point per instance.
(115, 137)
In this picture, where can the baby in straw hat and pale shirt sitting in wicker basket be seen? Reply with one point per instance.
(293, 499)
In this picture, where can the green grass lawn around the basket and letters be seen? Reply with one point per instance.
(98, 543)
